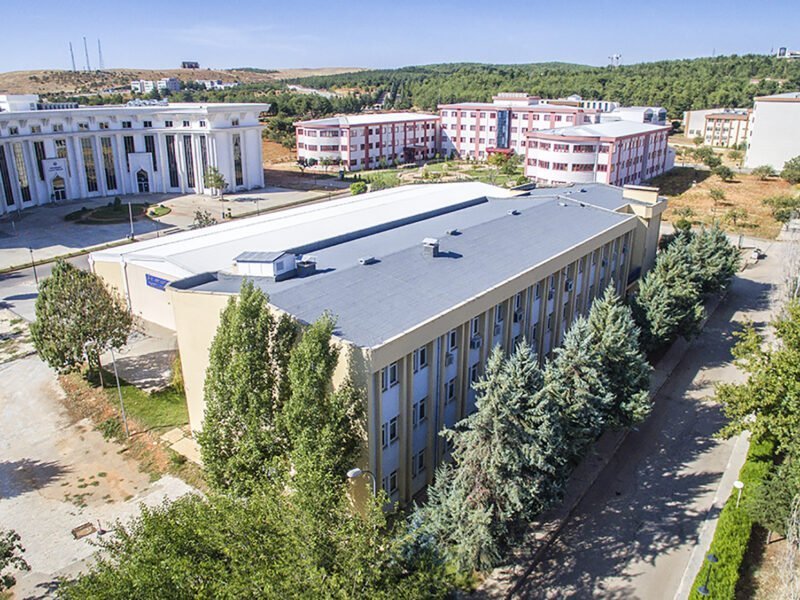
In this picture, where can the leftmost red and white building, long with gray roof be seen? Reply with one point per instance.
(368, 141)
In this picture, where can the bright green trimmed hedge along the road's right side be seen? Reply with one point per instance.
(734, 527)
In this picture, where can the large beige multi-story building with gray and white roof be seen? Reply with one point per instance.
(424, 281)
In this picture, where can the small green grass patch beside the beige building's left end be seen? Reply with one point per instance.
(164, 409)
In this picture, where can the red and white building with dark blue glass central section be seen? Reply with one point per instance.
(476, 129)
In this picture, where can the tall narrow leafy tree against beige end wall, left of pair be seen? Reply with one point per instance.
(241, 443)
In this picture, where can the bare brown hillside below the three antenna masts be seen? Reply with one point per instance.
(67, 83)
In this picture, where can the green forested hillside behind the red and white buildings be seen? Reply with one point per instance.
(678, 85)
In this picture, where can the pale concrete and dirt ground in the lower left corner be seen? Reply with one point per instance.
(56, 475)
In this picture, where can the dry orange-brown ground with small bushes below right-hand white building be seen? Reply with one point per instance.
(688, 187)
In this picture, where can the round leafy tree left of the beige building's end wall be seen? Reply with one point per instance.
(77, 317)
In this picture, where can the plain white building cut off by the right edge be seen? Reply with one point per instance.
(774, 131)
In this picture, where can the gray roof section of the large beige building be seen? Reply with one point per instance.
(403, 287)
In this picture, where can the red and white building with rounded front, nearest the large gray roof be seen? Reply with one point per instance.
(615, 152)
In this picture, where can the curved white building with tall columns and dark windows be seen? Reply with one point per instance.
(52, 155)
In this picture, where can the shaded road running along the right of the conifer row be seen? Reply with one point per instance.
(641, 529)
